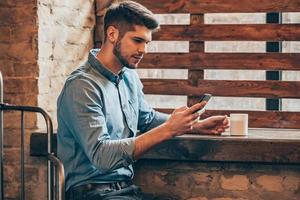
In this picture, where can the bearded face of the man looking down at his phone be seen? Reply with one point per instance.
(130, 49)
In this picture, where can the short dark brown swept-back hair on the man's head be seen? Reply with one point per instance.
(124, 15)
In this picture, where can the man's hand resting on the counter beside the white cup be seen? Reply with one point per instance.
(214, 125)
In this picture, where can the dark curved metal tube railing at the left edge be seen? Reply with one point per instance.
(56, 179)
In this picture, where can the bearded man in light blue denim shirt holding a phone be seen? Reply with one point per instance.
(102, 107)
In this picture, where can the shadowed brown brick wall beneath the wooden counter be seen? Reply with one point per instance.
(218, 181)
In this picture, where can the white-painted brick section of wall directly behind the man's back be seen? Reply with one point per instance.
(64, 39)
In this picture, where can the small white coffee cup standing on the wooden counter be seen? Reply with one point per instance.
(238, 124)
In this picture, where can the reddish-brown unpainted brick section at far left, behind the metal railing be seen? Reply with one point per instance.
(18, 64)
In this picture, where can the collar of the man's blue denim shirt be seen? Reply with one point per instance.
(94, 62)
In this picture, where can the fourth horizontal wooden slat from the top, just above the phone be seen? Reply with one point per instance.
(268, 89)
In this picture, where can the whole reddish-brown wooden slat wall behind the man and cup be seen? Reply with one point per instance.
(197, 60)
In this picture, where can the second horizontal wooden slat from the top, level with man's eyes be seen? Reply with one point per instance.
(236, 32)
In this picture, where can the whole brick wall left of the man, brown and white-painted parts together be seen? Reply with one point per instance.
(40, 43)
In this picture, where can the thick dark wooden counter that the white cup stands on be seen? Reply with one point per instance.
(262, 145)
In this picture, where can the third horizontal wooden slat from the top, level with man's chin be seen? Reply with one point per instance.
(259, 61)
